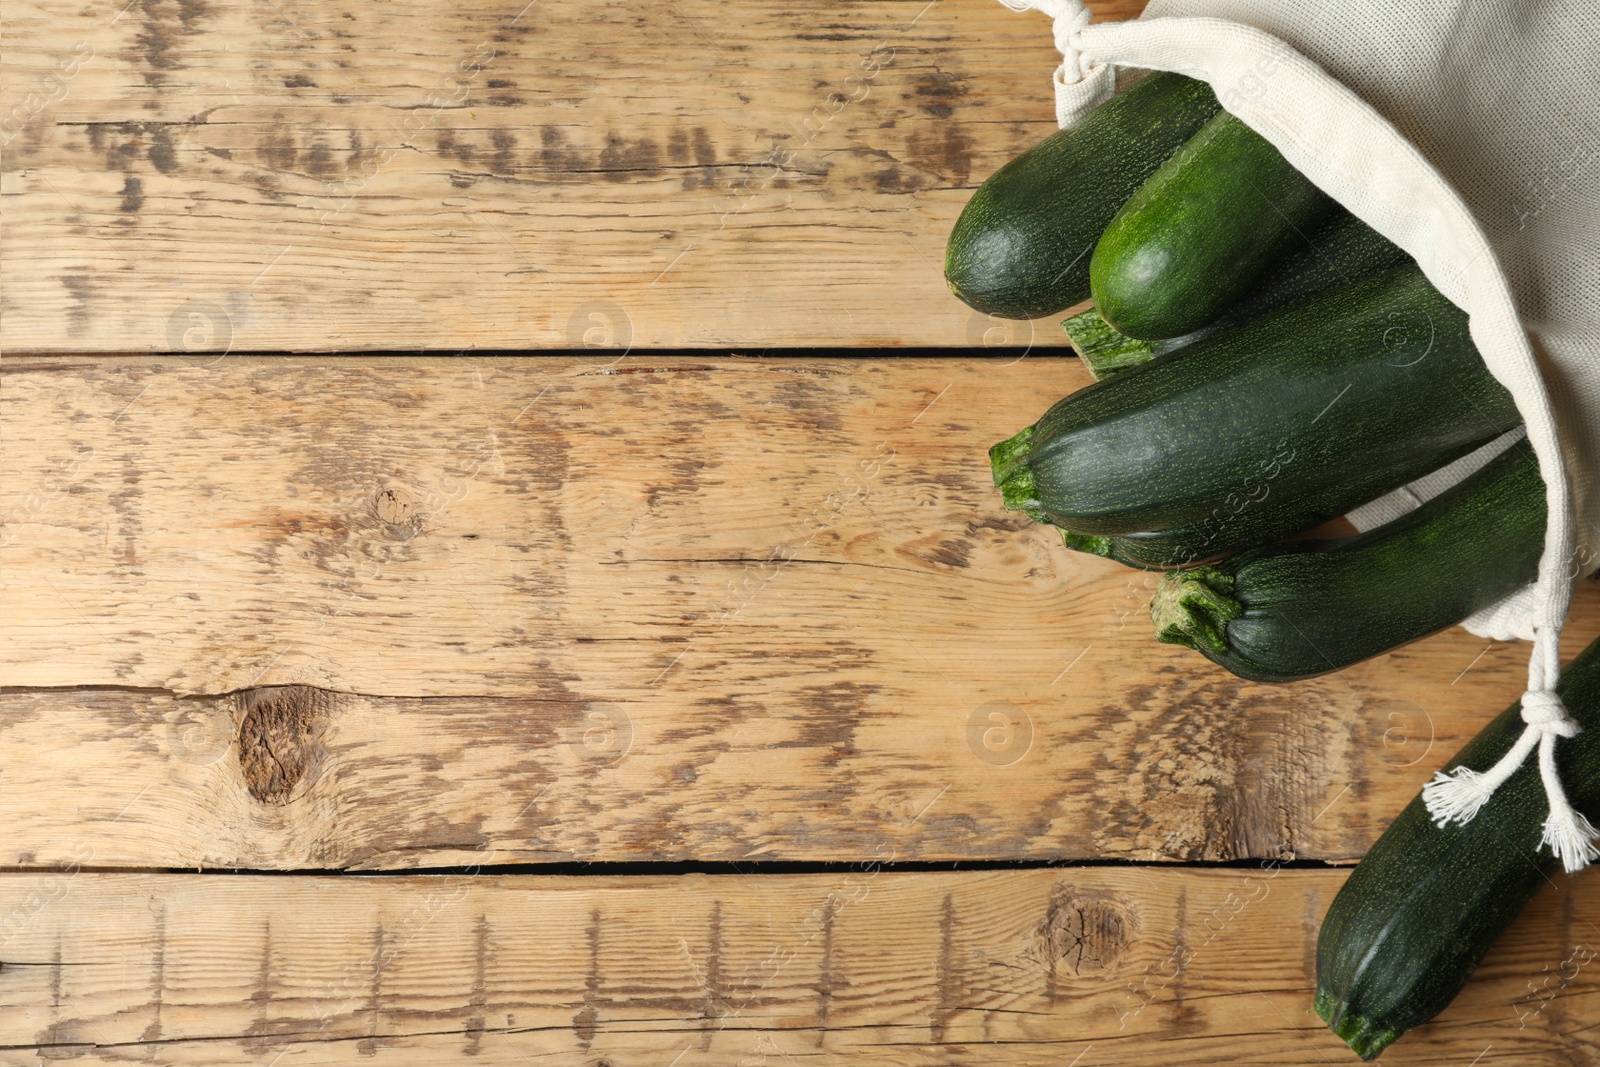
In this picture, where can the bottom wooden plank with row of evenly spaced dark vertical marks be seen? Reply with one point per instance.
(1044, 967)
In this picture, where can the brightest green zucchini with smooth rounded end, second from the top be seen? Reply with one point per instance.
(1202, 233)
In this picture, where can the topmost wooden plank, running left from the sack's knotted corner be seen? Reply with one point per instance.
(313, 177)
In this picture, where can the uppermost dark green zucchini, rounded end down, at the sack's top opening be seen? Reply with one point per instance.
(1022, 247)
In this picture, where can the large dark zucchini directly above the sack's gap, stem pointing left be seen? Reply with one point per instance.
(1318, 409)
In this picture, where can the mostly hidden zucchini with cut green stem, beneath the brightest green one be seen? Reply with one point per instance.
(1337, 254)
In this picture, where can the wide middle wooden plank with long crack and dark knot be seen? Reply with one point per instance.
(639, 610)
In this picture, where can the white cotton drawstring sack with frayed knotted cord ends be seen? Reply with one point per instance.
(1468, 132)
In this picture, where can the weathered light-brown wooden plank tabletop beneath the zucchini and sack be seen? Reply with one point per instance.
(329, 677)
